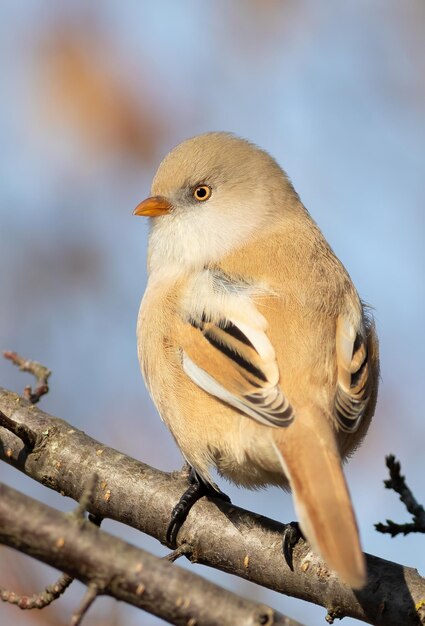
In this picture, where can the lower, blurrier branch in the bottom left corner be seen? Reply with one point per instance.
(110, 566)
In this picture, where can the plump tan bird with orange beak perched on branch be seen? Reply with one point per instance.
(253, 342)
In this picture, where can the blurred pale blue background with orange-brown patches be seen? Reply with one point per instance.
(93, 95)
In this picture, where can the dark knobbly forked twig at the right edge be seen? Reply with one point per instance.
(397, 482)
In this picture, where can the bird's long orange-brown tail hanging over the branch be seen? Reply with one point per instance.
(311, 462)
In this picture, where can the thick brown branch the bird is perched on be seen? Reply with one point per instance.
(219, 534)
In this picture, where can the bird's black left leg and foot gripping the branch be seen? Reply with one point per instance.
(198, 488)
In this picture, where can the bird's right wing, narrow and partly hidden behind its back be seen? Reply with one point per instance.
(354, 382)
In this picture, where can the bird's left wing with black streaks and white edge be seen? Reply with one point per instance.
(227, 353)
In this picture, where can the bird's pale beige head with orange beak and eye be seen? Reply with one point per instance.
(211, 194)
